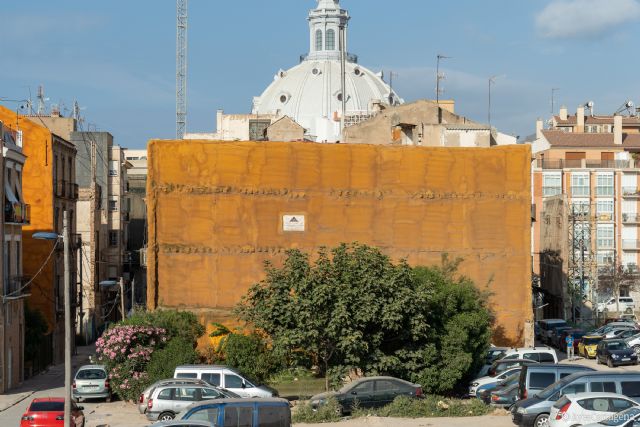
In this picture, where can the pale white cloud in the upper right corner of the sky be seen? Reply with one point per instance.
(585, 18)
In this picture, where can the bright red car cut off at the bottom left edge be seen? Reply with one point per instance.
(49, 412)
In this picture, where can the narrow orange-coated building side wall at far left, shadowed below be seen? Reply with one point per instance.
(37, 190)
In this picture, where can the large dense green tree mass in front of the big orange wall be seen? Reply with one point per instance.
(354, 310)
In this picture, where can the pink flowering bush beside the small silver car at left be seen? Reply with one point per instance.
(126, 351)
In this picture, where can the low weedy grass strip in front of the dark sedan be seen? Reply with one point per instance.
(430, 406)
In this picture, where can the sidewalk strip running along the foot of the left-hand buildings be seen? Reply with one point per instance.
(52, 378)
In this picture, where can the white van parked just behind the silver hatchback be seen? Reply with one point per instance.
(225, 377)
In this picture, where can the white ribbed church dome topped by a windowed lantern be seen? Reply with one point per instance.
(311, 92)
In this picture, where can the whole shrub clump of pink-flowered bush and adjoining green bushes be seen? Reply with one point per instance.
(147, 347)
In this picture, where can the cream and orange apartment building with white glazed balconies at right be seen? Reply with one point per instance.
(594, 163)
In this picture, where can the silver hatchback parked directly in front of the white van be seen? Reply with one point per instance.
(169, 400)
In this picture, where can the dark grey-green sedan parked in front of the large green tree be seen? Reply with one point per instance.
(369, 392)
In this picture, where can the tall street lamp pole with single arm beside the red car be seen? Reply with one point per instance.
(67, 310)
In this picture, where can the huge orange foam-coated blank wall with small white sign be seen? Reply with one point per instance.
(215, 212)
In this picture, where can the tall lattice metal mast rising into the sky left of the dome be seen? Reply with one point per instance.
(181, 68)
